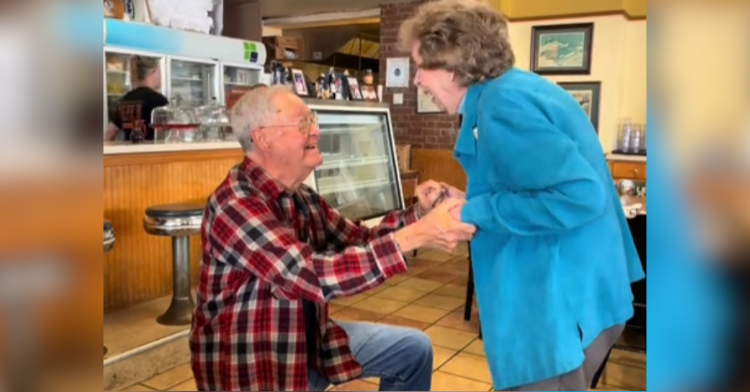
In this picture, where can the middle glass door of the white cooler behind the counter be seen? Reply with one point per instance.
(194, 81)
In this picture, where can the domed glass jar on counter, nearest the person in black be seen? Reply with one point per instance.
(175, 123)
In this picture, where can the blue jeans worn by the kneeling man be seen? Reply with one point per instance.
(400, 357)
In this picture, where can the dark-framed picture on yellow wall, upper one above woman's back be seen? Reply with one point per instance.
(562, 49)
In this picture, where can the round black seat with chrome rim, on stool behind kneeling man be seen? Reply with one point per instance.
(174, 220)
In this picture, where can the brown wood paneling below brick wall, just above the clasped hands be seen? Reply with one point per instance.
(438, 165)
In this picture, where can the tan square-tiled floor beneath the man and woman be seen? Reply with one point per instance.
(430, 298)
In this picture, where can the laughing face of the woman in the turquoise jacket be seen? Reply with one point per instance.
(439, 84)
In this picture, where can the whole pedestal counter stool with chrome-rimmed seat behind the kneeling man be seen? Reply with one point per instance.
(179, 221)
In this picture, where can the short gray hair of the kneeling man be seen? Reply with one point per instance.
(253, 111)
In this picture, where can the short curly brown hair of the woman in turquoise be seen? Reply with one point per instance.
(467, 37)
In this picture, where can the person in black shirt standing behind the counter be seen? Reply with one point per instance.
(135, 107)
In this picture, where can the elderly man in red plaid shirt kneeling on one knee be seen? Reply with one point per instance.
(274, 254)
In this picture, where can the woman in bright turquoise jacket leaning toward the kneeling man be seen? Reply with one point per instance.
(553, 256)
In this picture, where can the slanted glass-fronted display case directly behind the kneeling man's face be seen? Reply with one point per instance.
(359, 175)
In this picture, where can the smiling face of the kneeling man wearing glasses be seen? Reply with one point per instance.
(291, 139)
